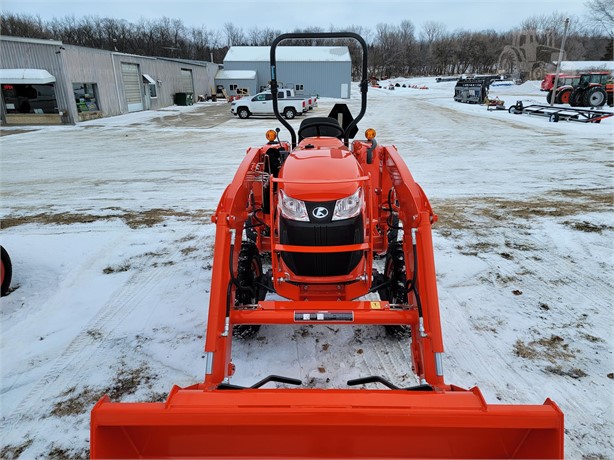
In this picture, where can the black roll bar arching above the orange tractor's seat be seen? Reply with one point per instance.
(326, 35)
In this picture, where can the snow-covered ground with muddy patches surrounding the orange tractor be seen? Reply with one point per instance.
(108, 226)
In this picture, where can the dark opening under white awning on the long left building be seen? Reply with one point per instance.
(20, 98)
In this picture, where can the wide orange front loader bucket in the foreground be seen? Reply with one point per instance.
(295, 423)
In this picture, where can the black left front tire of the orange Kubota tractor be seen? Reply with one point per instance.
(249, 292)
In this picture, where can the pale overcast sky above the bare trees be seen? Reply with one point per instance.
(501, 15)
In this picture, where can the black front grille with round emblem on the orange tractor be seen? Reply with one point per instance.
(331, 233)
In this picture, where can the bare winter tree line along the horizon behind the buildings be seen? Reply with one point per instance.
(394, 50)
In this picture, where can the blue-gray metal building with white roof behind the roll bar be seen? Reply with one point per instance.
(325, 71)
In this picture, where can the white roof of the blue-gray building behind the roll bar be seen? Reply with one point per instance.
(289, 54)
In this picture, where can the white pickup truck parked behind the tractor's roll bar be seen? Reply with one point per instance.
(262, 104)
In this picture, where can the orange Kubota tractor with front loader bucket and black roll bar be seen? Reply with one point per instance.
(323, 208)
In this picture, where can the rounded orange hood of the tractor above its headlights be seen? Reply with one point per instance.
(313, 170)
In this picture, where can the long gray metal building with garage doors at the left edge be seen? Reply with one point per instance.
(48, 82)
